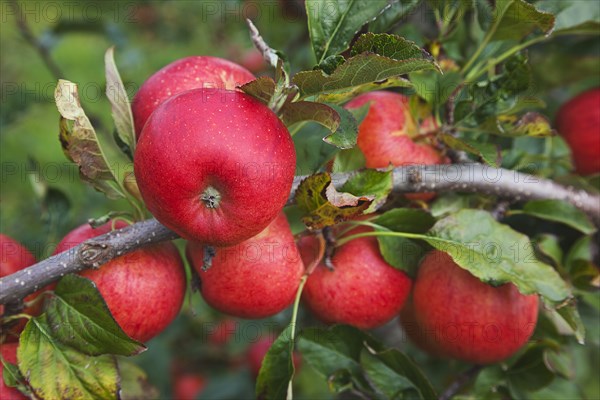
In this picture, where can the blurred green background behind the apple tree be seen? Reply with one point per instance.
(42, 198)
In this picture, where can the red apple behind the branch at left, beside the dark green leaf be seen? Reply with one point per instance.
(144, 289)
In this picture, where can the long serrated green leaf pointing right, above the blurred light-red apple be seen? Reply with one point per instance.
(367, 67)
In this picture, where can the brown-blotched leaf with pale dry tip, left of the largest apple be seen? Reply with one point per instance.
(80, 143)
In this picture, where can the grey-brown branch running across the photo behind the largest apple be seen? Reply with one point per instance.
(473, 178)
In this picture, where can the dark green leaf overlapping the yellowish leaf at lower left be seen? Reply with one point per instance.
(78, 317)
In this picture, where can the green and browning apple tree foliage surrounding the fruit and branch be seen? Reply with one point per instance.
(475, 77)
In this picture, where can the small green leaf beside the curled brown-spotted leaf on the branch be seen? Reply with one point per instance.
(372, 183)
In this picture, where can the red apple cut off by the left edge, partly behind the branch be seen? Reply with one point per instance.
(14, 257)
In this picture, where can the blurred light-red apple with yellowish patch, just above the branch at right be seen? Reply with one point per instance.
(386, 134)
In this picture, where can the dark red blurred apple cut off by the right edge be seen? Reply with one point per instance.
(578, 121)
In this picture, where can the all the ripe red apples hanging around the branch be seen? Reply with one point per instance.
(216, 166)
